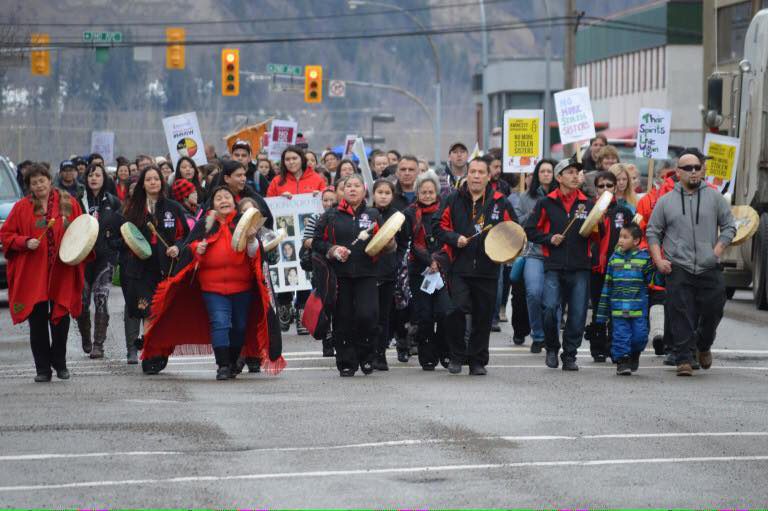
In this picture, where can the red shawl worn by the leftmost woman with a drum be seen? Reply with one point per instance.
(36, 276)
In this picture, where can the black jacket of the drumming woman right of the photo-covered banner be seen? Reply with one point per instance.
(341, 226)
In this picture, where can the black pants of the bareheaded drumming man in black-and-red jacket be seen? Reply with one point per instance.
(468, 324)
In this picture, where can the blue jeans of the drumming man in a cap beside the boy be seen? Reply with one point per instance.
(573, 287)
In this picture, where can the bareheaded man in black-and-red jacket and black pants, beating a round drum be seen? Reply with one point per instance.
(472, 276)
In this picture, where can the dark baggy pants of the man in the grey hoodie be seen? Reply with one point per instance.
(695, 304)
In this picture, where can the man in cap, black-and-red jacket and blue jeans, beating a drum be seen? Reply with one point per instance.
(567, 261)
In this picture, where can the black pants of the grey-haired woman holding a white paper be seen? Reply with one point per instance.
(429, 315)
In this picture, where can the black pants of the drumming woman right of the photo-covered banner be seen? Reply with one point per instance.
(355, 321)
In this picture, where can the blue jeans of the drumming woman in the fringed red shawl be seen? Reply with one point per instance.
(228, 316)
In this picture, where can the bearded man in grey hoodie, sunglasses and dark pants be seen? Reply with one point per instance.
(694, 225)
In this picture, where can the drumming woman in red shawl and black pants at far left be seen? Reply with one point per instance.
(42, 289)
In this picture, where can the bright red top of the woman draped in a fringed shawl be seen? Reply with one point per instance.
(222, 270)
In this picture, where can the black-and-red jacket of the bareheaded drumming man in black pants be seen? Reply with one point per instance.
(457, 219)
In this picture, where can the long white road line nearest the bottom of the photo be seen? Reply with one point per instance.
(381, 471)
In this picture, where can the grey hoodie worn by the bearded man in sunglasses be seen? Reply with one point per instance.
(688, 225)
